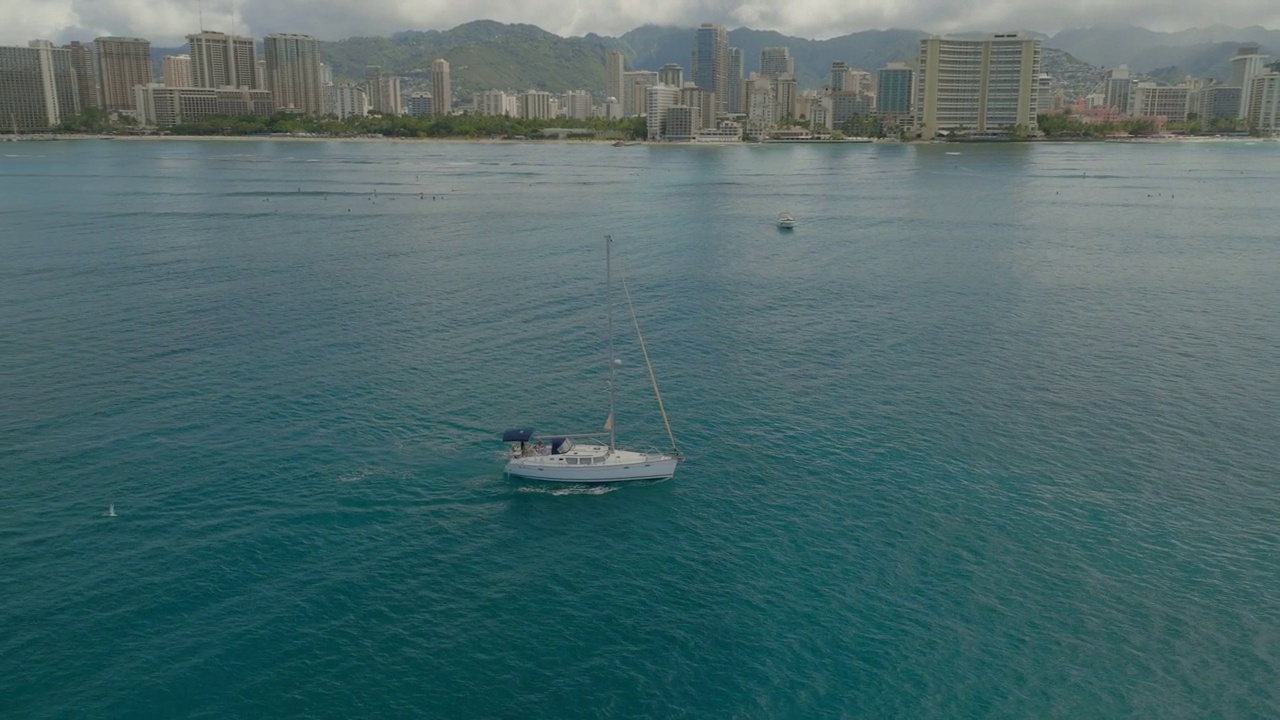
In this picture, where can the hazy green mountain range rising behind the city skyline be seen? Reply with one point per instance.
(487, 54)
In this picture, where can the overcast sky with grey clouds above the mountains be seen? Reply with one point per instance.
(166, 22)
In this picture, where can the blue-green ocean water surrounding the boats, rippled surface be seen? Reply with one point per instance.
(995, 432)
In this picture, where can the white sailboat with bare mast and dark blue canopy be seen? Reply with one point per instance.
(593, 458)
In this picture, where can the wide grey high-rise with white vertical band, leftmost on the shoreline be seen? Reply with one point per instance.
(38, 86)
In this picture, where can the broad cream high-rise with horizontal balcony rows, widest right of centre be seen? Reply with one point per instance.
(981, 86)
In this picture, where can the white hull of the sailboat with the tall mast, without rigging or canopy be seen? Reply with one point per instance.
(593, 464)
